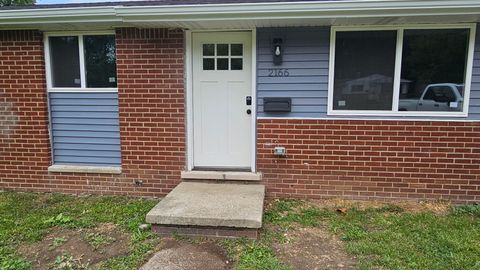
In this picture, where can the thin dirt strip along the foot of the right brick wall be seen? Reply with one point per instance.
(437, 207)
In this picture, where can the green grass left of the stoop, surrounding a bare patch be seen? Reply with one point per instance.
(28, 217)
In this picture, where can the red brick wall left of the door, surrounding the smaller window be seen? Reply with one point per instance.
(151, 100)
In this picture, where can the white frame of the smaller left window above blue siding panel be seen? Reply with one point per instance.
(83, 80)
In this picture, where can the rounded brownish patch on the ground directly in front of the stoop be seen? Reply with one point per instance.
(176, 255)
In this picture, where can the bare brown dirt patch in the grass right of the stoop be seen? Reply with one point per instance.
(312, 249)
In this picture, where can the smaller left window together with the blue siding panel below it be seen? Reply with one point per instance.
(83, 99)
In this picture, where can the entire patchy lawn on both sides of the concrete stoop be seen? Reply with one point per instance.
(382, 236)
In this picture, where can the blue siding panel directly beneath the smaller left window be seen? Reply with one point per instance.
(85, 128)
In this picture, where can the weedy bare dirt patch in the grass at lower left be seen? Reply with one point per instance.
(82, 248)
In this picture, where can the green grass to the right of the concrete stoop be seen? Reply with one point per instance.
(390, 238)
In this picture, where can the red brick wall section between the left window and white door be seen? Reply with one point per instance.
(152, 106)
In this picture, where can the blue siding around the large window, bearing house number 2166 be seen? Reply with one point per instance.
(306, 56)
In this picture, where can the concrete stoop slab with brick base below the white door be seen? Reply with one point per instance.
(210, 209)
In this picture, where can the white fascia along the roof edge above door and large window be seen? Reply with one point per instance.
(373, 8)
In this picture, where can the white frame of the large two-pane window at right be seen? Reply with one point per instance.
(398, 68)
